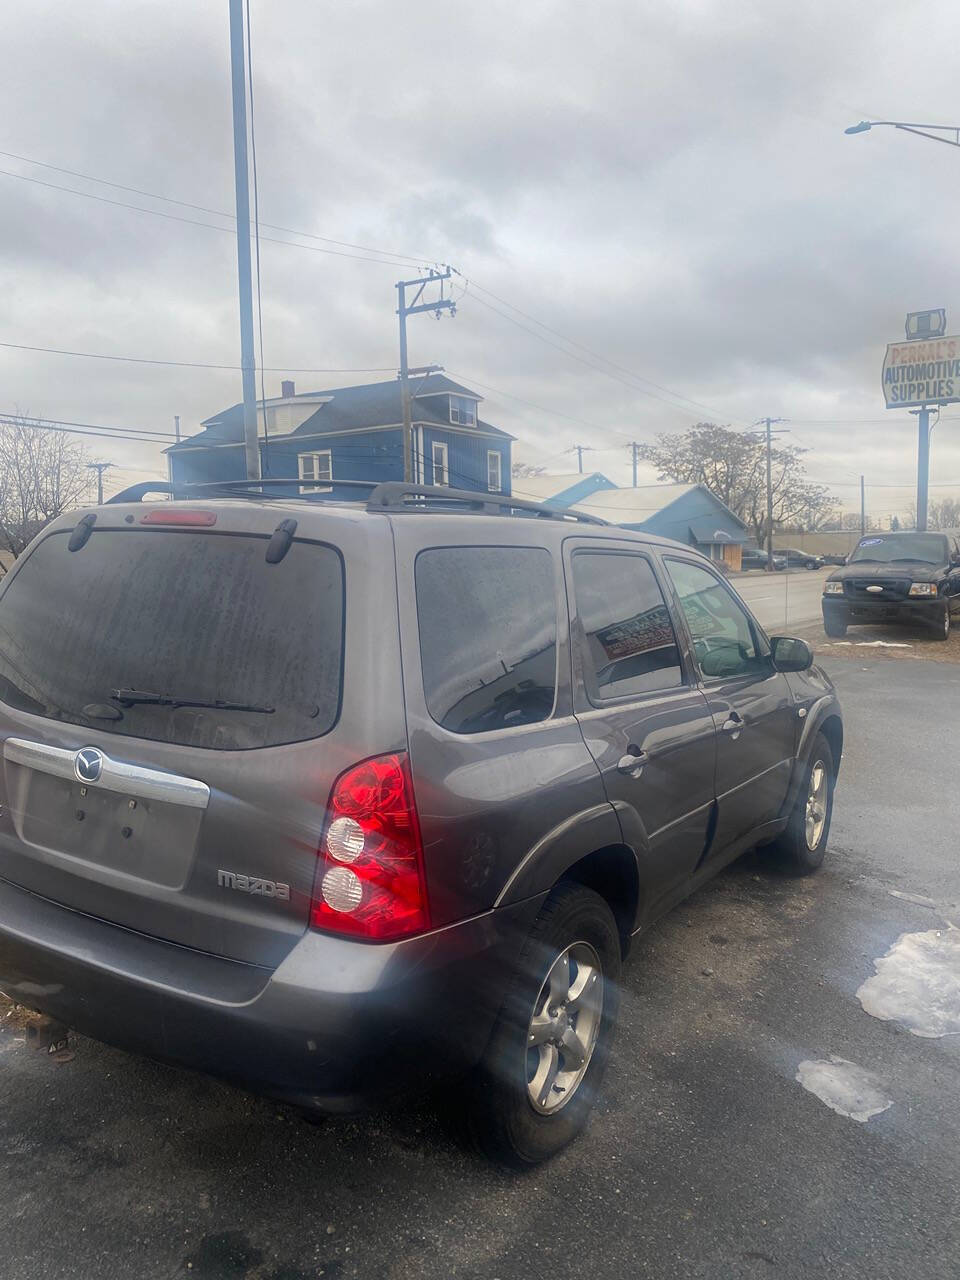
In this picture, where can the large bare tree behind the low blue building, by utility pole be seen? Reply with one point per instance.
(733, 465)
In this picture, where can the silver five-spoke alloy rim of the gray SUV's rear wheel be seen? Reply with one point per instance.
(564, 1028)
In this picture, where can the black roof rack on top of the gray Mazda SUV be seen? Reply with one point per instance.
(394, 496)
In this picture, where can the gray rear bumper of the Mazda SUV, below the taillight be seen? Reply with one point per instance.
(337, 1026)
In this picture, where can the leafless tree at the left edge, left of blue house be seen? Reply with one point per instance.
(43, 474)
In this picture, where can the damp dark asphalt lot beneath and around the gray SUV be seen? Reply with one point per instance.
(706, 1162)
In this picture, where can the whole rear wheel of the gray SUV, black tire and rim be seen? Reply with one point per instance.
(497, 1110)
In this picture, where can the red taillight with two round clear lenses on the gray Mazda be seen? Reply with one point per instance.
(371, 874)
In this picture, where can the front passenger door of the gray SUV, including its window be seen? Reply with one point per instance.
(752, 705)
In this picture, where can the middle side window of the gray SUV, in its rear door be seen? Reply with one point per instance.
(630, 641)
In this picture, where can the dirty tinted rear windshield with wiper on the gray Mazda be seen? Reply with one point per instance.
(191, 618)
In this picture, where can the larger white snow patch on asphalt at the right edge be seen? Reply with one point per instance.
(917, 984)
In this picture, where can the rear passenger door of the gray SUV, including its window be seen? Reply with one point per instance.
(646, 724)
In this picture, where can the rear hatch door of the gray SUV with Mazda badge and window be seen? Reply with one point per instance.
(129, 793)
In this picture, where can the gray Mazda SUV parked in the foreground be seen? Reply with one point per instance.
(339, 793)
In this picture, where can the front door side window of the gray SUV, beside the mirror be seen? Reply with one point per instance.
(724, 636)
